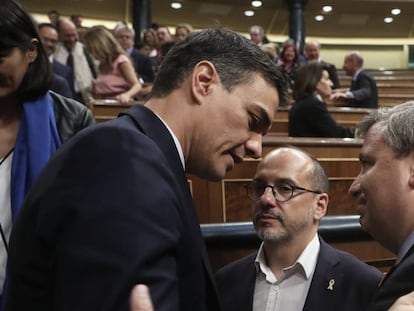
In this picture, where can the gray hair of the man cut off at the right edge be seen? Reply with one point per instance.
(397, 124)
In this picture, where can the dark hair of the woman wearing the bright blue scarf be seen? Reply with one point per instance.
(17, 29)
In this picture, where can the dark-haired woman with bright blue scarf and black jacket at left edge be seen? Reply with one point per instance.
(34, 121)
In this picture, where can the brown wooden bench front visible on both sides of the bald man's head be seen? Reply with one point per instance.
(226, 201)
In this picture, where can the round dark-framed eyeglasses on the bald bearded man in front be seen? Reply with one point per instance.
(282, 192)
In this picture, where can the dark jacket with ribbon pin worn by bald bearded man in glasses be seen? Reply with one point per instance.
(355, 283)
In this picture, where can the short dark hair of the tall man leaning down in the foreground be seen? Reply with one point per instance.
(234, 57)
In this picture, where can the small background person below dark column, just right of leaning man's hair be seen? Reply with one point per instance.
(288, 62)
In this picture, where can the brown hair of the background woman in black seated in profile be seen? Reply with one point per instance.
(307, 78)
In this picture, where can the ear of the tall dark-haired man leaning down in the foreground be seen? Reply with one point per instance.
(204, 77)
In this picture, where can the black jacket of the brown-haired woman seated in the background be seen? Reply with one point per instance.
(309, 117)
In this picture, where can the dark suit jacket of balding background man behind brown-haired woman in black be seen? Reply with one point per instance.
(365, 92)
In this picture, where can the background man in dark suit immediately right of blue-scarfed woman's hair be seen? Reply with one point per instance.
(49, 38)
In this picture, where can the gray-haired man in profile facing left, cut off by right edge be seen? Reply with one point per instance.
(384, 191)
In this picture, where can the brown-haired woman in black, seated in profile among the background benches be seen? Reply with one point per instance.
(309, 116)
